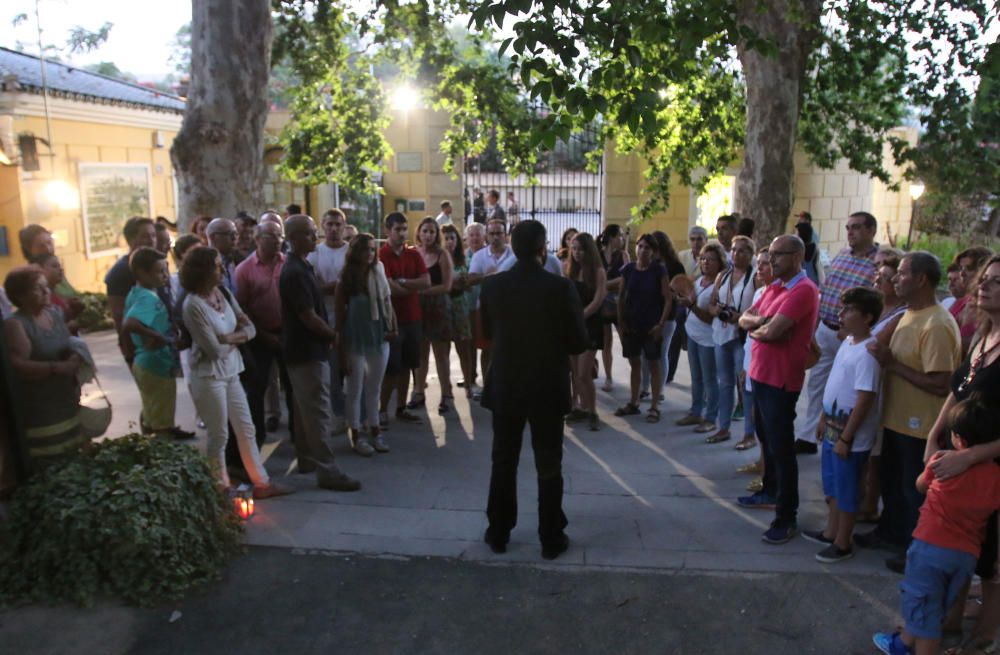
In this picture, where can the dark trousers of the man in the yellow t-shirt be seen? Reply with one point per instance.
(901, 463)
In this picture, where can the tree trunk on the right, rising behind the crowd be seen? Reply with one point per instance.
(774, 98)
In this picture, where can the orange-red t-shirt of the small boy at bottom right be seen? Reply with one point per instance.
(955, 512)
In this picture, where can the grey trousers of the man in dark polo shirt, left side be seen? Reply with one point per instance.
(311, 384)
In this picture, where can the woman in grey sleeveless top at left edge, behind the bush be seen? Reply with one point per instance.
(44, 367)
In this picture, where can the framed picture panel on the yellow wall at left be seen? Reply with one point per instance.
(110, 194)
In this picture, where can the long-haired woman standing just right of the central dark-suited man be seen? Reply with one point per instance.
(588, 275)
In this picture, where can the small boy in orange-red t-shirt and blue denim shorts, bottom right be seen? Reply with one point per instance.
(945, 547)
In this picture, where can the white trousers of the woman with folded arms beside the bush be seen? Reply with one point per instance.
(220, 403)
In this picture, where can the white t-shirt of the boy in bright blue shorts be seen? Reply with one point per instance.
(854, 369)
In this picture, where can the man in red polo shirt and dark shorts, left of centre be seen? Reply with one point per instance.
(407, 275)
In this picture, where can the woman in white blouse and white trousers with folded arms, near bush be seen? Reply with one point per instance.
(218, 326)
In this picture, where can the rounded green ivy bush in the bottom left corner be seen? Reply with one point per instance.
(138, 518)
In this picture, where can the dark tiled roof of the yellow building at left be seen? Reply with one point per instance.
(21, 71)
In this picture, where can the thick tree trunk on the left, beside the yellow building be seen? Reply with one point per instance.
(218, 153)
